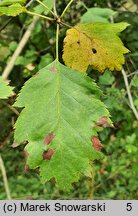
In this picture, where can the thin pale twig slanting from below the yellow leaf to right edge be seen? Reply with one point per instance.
(132, 106)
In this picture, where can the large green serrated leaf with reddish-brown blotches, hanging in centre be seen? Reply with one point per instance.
(61, 108)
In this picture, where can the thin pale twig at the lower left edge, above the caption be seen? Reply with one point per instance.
(5, 181)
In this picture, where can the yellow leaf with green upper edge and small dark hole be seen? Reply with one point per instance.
(95, 44)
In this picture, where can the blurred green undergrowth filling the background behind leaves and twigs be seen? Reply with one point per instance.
(116, 175)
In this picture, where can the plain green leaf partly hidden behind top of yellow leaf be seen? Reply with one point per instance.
(97, 15)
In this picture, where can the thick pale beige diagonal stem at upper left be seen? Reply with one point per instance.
(19, 49)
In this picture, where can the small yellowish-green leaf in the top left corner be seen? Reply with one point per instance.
(12, 10)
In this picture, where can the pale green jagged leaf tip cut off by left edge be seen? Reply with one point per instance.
(5, 90)
